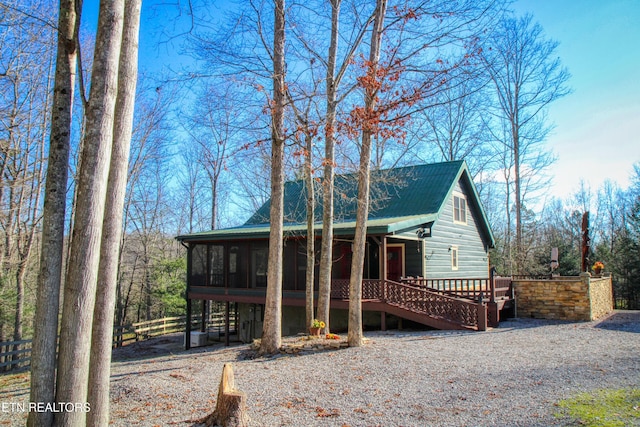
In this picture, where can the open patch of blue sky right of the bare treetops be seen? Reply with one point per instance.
(597, 133)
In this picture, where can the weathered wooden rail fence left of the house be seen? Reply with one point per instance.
(17, 354)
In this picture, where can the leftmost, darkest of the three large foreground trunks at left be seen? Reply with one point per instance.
(43, 350)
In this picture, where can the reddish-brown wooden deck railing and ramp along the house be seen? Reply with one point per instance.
(466, 304)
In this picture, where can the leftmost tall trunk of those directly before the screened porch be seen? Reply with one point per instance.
(272, 329)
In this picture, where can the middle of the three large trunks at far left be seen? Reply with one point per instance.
(82, 274)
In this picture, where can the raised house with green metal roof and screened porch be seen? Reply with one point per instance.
(426, 226)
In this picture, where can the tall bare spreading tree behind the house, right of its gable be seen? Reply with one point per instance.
(527, 77)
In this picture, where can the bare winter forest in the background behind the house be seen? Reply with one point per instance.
(200, 155)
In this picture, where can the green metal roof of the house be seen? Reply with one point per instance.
(401, 198)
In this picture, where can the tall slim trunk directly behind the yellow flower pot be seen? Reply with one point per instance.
(326, 254)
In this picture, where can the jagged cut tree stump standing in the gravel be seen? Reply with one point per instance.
(231, 405)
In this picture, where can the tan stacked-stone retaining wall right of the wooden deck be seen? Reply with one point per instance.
(582, 298)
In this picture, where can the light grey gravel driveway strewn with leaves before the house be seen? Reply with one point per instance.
(508, 376)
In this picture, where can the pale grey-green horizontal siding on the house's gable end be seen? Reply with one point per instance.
(472, 255)
